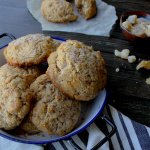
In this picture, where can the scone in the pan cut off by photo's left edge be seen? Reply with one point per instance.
(15, 98)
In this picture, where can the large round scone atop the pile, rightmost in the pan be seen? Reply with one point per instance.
(77, 70)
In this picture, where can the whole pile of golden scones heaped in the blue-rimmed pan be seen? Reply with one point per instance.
(34, 98)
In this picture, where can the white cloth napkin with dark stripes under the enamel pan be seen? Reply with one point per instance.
(130, 135)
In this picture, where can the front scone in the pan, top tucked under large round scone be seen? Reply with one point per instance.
(53, 113)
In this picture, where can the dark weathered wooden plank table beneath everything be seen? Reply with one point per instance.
(128, 91)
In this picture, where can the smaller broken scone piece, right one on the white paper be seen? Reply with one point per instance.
(87, 8)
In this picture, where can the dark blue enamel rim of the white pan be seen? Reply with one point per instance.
(64, 137)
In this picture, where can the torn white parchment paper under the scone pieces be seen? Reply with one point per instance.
(100, 25)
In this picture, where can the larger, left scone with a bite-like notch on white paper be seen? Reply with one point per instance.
(58, 11)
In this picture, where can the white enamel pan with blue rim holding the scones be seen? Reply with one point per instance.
(90, 110)
